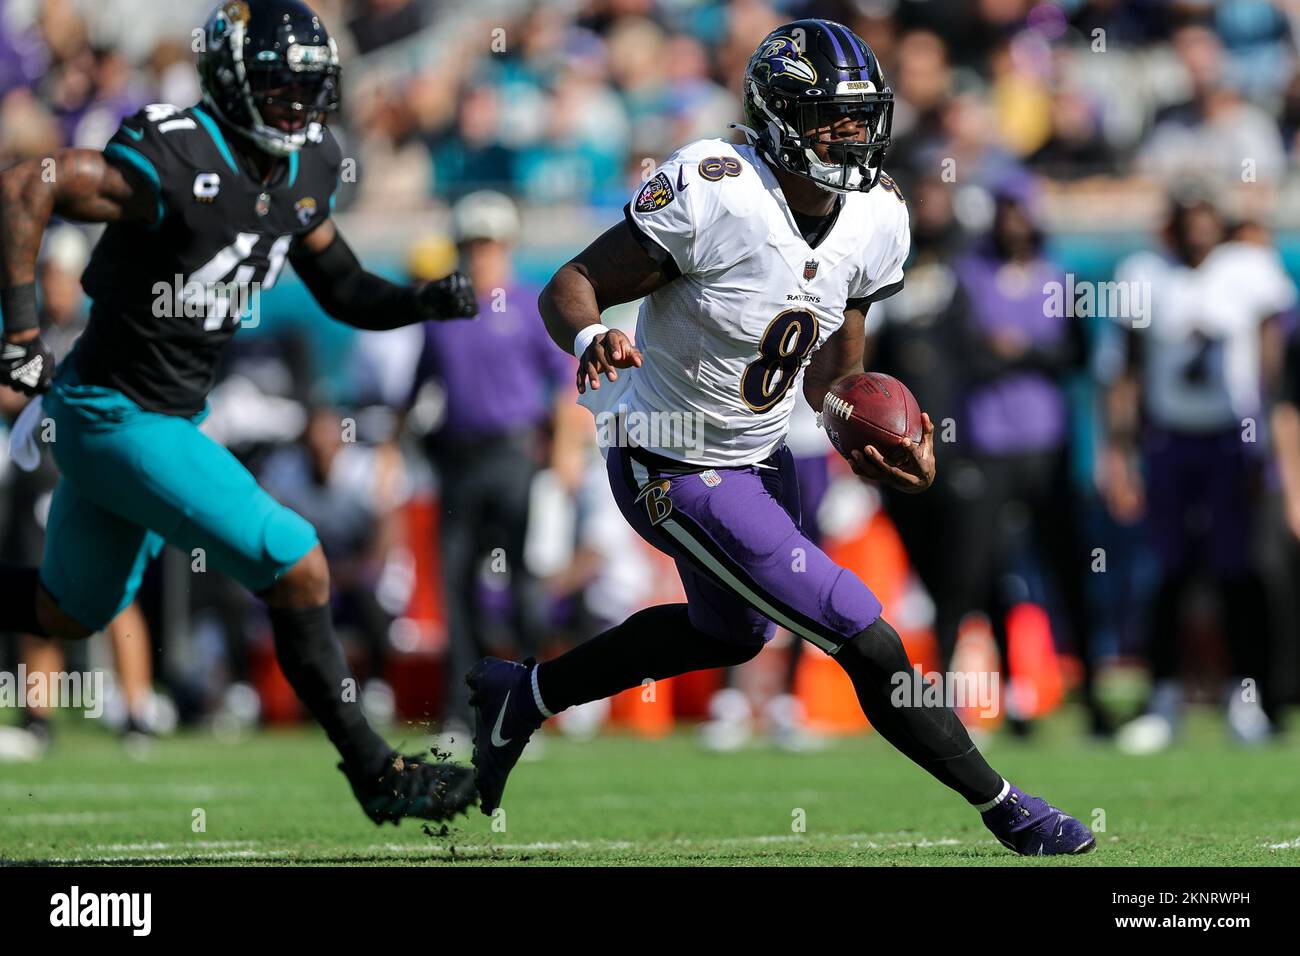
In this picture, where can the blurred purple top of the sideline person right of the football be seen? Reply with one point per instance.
(1024, 410)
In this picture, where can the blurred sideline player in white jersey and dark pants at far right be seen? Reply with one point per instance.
(1185, 451)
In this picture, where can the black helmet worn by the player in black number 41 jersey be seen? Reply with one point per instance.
(271, 71)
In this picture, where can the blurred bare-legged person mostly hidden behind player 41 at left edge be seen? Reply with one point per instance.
(63, 318)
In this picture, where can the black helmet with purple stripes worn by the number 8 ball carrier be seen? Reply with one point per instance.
(814, 83)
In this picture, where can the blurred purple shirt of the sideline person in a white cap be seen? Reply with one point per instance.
(501, 371)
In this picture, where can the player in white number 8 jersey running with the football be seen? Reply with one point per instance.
(756, 265)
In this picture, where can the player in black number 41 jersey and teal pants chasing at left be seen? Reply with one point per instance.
(205, 206)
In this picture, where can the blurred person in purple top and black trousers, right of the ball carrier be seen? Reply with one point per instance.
(1015, 481)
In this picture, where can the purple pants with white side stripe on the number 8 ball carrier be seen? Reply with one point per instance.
(744, 560)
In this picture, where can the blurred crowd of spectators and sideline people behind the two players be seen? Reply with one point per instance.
(457, 488)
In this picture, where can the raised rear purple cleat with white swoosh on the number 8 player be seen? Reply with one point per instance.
(505, 719)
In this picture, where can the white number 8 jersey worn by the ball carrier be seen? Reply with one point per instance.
(729, 340)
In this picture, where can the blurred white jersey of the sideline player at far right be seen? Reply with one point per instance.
(1202, 357)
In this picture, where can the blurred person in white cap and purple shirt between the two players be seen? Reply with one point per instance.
(500, 380)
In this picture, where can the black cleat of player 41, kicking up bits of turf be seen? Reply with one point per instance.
(414, 788)
